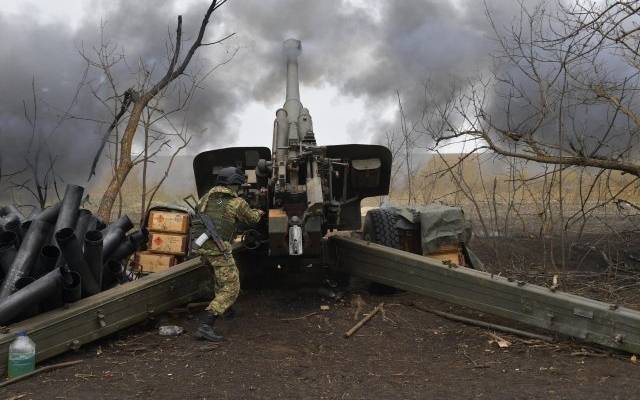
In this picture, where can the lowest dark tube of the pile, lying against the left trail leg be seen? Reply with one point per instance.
(47, 287)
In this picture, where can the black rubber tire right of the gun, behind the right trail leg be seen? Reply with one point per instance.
(380, 228)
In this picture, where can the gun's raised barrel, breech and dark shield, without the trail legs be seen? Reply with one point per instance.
(305, 189)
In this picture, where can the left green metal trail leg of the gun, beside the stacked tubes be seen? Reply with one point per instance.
(102, 314)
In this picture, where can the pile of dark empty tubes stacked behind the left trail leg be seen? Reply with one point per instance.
(60, 255)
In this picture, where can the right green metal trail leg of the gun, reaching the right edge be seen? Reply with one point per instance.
(579, 317)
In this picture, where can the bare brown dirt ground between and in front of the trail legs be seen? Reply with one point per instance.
(281, 344)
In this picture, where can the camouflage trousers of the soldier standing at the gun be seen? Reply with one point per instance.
(227, 282)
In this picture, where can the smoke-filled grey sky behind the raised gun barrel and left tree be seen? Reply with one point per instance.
(356, 55)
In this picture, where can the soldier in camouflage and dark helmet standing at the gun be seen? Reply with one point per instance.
(225, 208)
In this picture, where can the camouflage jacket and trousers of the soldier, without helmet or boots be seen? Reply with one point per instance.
(225, 208)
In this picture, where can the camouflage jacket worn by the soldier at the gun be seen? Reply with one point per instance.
(226, 209)
